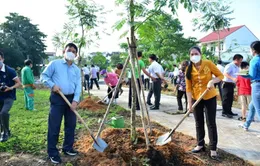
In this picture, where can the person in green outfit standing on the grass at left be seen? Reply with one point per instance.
(28, 85)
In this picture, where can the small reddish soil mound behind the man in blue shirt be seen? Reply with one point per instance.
(91, 104)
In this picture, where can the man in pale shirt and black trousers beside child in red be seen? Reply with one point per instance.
(229, 83)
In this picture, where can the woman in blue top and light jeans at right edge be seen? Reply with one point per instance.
(254, 75)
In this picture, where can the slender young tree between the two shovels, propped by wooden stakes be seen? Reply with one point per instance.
(138, 12)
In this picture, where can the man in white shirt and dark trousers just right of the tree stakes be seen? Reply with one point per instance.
(156, 71)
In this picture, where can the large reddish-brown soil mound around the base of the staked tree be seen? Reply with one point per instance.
(122, 152)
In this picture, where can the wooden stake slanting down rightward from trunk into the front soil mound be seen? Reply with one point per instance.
(138, 94)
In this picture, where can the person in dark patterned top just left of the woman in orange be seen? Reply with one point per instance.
(181, 87)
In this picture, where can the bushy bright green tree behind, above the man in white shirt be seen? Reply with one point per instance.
(162, 36)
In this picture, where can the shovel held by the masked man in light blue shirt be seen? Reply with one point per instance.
(99, 144)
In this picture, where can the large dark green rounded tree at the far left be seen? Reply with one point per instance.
(20, 40)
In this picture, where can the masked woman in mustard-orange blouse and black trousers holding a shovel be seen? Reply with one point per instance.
(198, 79)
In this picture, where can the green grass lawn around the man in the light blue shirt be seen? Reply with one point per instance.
(29, 128)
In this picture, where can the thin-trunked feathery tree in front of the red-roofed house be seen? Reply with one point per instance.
(214, 17)
